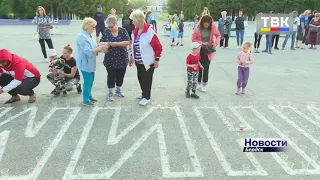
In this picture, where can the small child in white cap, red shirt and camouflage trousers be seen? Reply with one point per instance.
(193, 64)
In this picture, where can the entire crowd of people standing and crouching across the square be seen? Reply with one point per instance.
(136, 42)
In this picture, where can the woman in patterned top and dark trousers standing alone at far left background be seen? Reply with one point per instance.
(43, 28)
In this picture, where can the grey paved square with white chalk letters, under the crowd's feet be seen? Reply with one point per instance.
(174, 137)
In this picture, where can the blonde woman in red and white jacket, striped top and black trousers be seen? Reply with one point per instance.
(146, 51)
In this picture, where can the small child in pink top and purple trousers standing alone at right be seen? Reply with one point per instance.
(244, 59)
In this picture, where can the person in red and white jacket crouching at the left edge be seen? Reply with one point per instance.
(18, 76)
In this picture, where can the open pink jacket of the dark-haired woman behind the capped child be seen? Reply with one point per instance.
(196, 37)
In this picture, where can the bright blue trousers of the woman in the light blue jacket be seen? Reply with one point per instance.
(88, 78)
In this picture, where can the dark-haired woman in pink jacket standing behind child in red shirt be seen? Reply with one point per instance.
(207, 34)
